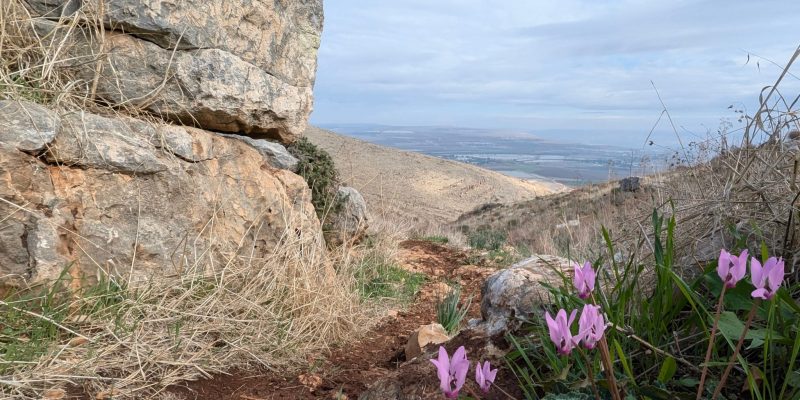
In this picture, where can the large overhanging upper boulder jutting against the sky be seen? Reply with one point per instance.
(242, 66)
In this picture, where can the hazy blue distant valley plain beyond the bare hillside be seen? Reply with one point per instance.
(514, 153)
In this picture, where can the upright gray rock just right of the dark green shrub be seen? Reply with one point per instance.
(351, 222)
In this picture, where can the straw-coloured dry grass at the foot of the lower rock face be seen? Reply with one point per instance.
(132, 340)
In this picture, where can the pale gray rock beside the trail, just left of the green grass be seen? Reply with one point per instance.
(513, 295)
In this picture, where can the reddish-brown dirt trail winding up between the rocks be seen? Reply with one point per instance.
(350, 369)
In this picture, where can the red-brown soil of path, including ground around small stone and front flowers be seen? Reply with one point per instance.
(378, 356)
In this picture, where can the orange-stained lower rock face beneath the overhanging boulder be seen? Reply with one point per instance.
(96, 195)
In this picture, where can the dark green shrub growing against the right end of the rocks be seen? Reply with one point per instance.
(317, 168)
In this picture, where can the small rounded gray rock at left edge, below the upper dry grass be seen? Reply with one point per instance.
(27, 126)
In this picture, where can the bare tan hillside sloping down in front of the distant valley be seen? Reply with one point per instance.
(417, 187)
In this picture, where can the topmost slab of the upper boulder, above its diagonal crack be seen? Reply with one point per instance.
(279, 37)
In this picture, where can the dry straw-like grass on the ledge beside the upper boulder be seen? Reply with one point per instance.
(58, 60)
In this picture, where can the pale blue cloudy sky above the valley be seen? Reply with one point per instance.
(573, 70)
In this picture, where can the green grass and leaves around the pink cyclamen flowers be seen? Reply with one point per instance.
(671, 319)
